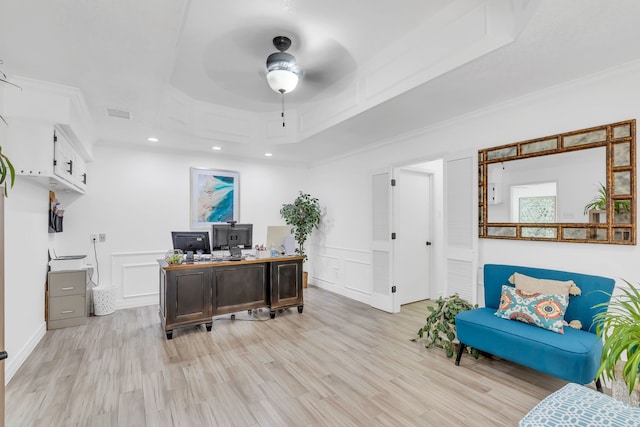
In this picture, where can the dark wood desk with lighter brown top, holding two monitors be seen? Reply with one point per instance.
(192, 293)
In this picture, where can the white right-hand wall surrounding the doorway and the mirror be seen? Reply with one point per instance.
(343, 185)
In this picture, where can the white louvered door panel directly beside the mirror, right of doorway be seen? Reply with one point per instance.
(461, 225)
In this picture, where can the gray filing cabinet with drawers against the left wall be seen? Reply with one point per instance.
(67, 298)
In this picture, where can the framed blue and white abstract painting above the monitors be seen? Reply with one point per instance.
(214, 196)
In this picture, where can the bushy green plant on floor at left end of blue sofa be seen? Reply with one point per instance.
(440, 327)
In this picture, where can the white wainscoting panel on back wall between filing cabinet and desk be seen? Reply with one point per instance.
(135, 277)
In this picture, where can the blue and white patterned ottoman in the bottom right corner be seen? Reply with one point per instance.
(575, 405)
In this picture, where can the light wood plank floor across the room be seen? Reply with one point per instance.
(340, 363)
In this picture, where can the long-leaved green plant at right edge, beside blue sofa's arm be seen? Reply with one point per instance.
(619, 328)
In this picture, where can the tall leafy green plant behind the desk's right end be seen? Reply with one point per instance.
(303, 215)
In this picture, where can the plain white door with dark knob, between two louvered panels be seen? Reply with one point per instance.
(412, 228)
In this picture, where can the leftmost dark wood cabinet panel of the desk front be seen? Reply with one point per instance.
(188, 295)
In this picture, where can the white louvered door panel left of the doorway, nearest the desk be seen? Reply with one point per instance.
(383, 295)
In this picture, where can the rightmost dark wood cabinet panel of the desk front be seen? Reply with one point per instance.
(286, 284)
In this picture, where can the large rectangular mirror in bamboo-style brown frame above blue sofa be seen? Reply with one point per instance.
(573, 187)
